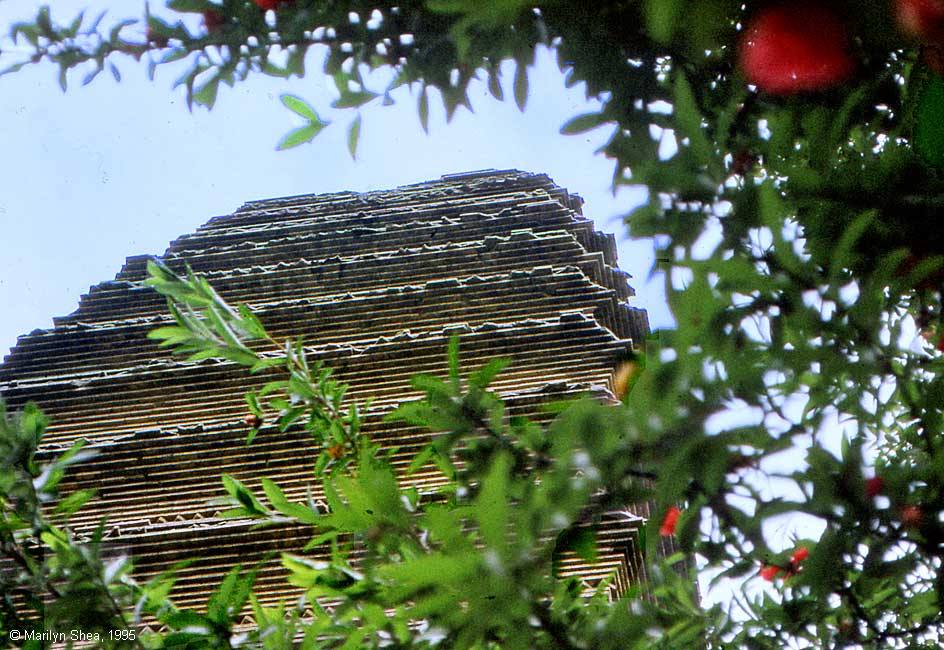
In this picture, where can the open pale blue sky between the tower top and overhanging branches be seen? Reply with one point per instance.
(115, 169)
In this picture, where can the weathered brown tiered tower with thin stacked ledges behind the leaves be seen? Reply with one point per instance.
(376, 283)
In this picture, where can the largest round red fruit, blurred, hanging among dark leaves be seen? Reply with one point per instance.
(795, 47)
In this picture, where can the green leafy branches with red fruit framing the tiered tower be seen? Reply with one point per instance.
(793, 153)
